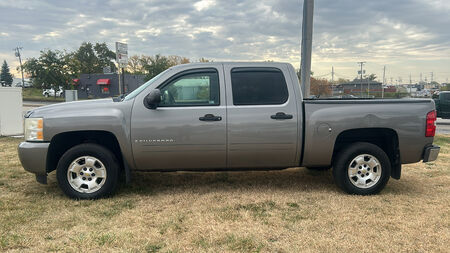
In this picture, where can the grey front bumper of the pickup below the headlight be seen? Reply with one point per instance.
(33, 156)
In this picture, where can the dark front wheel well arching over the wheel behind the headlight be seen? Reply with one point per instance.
(62, 142)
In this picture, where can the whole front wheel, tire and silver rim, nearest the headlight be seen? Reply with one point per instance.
(88, 171)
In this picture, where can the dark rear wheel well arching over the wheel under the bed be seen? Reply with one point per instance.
(384, 138)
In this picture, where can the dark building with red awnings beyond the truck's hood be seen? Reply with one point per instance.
(105, 85)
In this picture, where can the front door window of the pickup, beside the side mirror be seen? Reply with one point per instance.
(197, 89)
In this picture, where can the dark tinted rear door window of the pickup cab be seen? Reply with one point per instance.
(258, 86)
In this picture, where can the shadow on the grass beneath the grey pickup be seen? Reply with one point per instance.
(292, 180)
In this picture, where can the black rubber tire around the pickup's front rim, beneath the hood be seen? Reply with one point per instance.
(104, 155)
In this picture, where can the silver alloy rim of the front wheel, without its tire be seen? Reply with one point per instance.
(86, 174)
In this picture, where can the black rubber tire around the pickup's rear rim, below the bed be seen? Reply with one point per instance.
(341, 167)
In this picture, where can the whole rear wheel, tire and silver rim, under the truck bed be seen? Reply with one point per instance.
(362, 168)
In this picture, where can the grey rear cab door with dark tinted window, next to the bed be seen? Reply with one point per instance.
(262, 117)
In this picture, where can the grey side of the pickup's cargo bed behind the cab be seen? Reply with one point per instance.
(326, 120)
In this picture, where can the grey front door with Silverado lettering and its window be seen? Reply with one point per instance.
(188, 129)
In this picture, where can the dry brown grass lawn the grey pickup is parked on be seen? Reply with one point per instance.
(285, 211)
